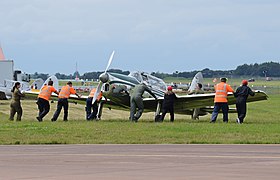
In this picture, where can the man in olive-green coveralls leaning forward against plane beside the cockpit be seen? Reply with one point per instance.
(136, 100)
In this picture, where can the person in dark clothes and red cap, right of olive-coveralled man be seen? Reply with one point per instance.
(168, 104)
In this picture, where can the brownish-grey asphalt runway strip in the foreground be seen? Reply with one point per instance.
(133, 162)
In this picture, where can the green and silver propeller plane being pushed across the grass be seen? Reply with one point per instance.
(116, 87)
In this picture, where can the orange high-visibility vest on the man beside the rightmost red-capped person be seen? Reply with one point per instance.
(221, 92)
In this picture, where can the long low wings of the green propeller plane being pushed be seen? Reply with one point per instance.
(184, 104)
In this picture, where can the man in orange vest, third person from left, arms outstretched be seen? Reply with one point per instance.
(63, 96)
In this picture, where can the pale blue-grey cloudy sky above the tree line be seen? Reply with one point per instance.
(50, 36)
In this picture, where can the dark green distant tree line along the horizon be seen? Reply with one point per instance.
(267, 69)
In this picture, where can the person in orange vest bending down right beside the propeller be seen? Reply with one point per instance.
(92, 109)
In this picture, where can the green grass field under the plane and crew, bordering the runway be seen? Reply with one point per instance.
(262, 126)
